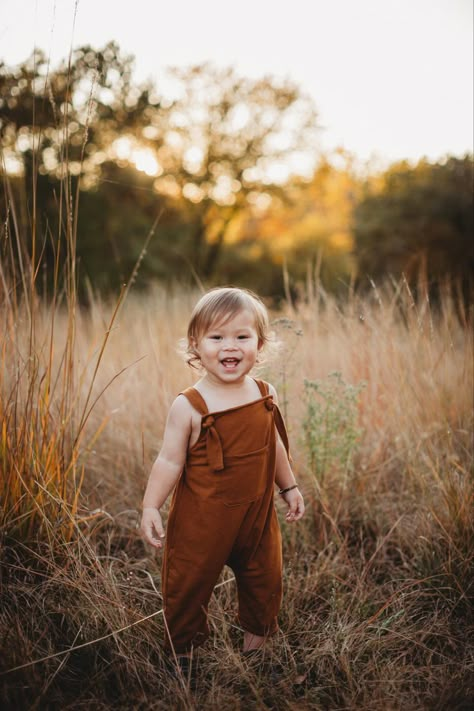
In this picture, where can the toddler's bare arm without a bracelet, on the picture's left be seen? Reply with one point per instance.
(166, 469)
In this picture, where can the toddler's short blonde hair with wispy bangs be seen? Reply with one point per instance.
(219, 306)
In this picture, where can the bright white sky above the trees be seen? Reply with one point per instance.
(391, 79)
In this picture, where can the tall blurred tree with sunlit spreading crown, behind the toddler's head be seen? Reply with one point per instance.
(225, 143)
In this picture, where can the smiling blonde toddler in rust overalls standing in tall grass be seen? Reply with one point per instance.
(224, 448)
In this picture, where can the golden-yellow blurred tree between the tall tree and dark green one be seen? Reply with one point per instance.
(311, 231)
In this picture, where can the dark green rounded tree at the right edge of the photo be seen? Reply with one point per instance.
(418, 218)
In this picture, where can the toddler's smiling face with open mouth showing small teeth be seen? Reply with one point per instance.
(228, 350)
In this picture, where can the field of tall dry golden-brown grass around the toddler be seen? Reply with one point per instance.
(377, 614)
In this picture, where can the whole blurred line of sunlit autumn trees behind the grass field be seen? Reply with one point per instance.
(217, 159)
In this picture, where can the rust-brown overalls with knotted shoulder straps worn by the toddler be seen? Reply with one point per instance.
(222, 512)
